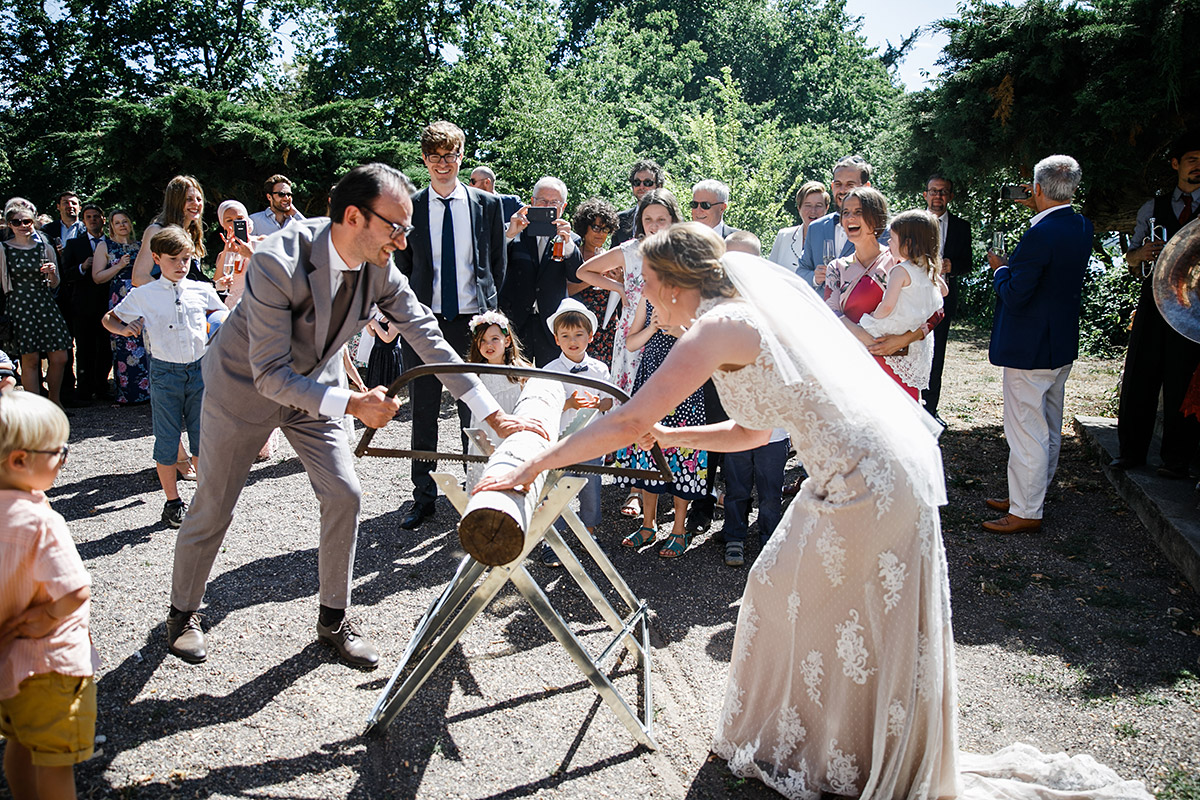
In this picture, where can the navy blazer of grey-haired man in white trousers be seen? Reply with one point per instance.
(1039, 294)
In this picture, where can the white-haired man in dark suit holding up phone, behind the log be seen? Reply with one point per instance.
(535, 284)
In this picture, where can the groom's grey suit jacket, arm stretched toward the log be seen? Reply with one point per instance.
(271, 353)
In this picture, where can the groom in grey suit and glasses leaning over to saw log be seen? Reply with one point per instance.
(277, 364)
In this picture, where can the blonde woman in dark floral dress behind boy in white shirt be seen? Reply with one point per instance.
(131, 363)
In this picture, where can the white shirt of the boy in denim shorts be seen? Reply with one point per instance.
(177, 327)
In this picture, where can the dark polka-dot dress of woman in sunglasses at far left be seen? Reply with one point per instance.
(38, 327)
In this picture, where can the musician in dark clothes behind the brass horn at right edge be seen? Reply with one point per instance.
(1160, 358)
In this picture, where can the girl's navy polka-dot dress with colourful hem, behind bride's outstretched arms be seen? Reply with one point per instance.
(689, 467)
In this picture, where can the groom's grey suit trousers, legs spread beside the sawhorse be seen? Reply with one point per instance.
(225, 466)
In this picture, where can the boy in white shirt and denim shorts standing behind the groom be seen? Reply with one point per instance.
(172, 314)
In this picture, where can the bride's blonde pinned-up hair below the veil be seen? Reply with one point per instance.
(689, 256)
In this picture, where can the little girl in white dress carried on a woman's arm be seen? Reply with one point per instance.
(914, 293)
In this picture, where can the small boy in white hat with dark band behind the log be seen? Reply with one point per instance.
(574, 326)
